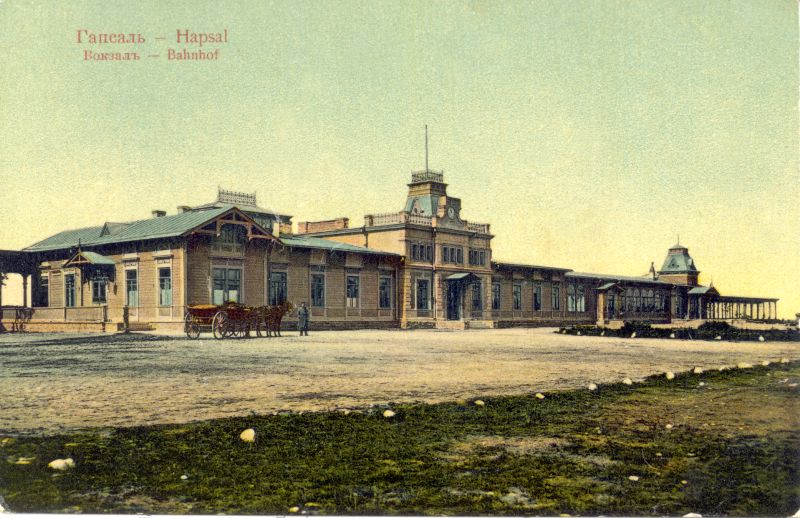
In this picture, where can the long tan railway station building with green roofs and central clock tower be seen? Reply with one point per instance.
(423, 266)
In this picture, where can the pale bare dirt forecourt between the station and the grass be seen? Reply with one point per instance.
(51, 383)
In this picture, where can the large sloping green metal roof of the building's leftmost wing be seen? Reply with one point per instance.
(153, 228)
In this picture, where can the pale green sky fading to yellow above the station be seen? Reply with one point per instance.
(587, 133)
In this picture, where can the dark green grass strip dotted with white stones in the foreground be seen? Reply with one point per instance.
(733, 449)
